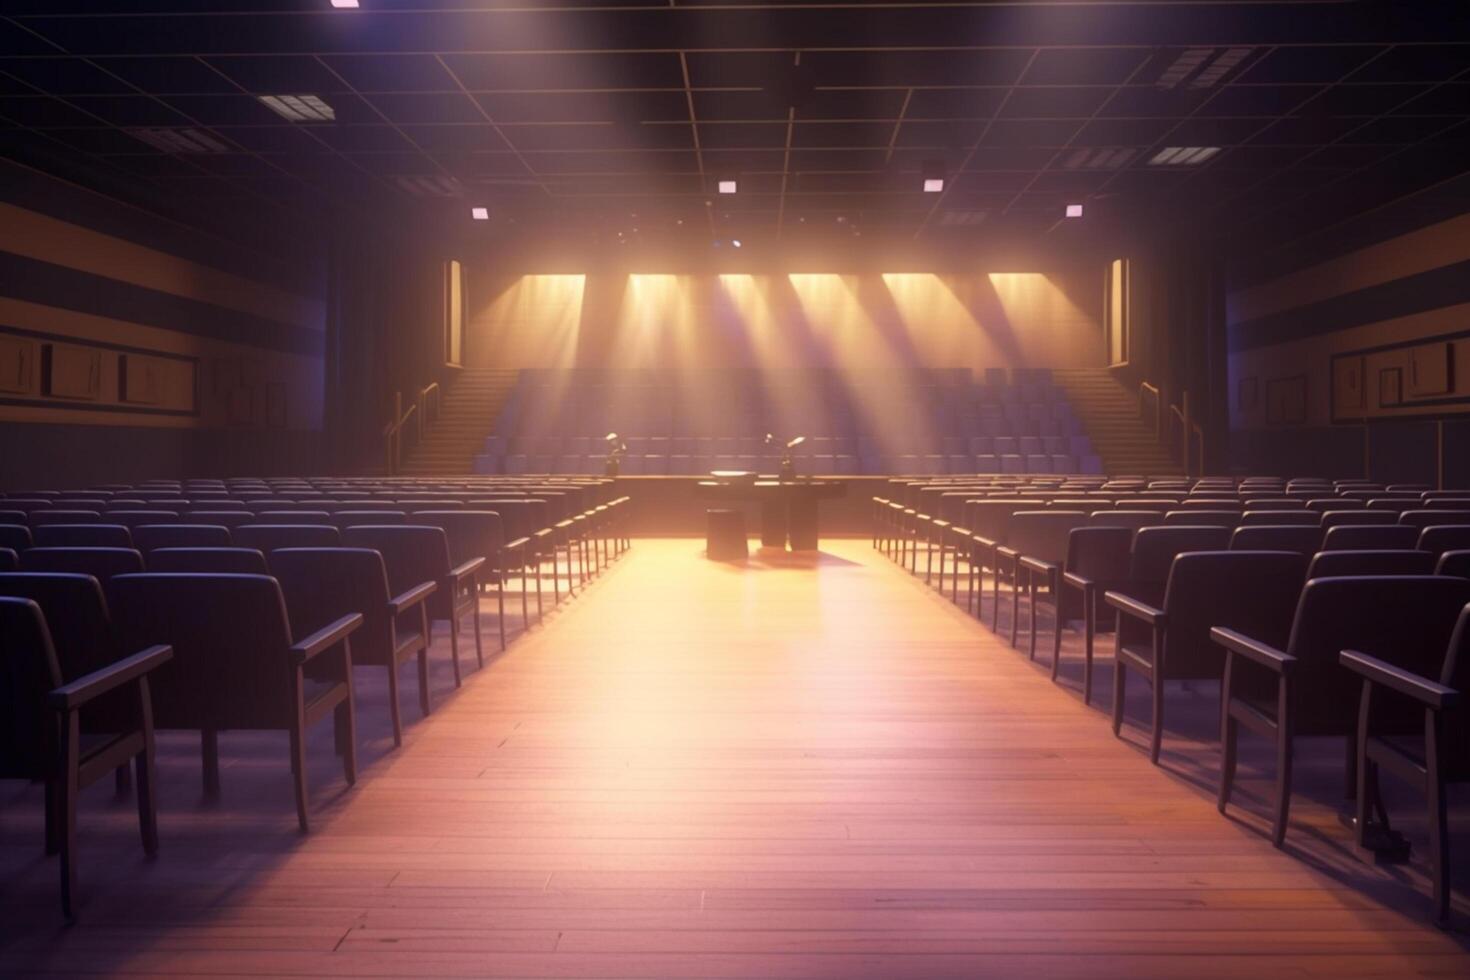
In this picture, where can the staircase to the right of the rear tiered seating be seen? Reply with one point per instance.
(1109, 412)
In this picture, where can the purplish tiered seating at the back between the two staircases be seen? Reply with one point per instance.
(918, 422)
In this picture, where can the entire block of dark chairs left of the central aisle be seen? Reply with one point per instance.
(259, 597)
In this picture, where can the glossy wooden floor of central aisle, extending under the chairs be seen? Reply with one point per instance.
(790, 769)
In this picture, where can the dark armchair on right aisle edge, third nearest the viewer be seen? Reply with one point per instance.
(1249, 591)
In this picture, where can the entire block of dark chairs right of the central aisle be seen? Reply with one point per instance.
(1302, 619)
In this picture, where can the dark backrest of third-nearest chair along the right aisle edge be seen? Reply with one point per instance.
(1249, 591)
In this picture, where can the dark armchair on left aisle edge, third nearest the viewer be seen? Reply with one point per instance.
(321, 586)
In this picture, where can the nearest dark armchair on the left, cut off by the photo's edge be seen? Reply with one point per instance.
(39, 746)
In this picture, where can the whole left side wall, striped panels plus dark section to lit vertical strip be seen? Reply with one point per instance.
(137, 343)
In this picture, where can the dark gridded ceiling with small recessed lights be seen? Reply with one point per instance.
(614, 121)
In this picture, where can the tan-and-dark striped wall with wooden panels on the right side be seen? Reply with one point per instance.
(1335, 361)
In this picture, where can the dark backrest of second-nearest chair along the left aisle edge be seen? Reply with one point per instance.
(230, 637)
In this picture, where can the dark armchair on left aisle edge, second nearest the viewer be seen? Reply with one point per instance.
(236, 665)
